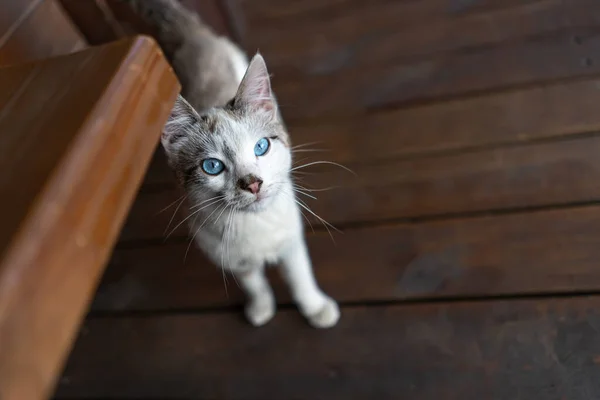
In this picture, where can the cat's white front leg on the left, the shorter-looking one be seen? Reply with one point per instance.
(260, 306)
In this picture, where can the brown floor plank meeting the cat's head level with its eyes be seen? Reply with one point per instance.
(498, 118)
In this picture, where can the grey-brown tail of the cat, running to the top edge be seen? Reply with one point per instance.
(171, 22)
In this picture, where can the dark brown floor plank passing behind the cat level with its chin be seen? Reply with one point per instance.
(509, 177)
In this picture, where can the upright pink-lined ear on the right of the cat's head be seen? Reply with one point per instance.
(254, 91)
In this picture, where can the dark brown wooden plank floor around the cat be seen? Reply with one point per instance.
(469, 266)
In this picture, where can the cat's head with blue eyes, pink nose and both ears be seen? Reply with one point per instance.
(238, 154)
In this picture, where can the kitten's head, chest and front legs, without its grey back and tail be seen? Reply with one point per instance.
(234, 163)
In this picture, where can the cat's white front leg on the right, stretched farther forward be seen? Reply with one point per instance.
(320, 310)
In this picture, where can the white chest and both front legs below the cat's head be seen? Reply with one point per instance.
(271, 236)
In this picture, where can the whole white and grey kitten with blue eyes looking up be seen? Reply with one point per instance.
(230, 150)
